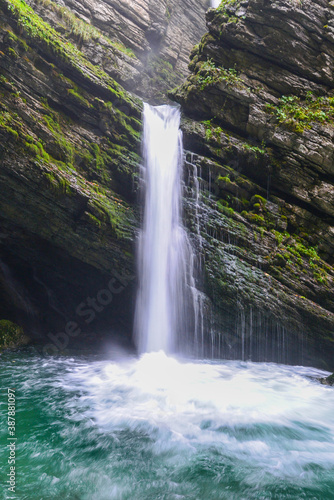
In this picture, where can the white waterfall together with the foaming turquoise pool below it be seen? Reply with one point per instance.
(156, 427)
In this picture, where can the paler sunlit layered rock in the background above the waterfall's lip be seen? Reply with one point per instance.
(143, 44)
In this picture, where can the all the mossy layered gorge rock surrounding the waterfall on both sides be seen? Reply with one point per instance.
(258, 112)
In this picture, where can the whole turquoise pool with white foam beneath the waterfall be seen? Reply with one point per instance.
(157, 428)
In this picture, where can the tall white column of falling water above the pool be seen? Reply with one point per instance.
(164, 252)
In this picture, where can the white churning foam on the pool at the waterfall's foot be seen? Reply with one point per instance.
(274, 417)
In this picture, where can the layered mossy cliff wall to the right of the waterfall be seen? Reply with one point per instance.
(261, 92)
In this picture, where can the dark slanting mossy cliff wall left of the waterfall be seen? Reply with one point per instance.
(69, 152)
